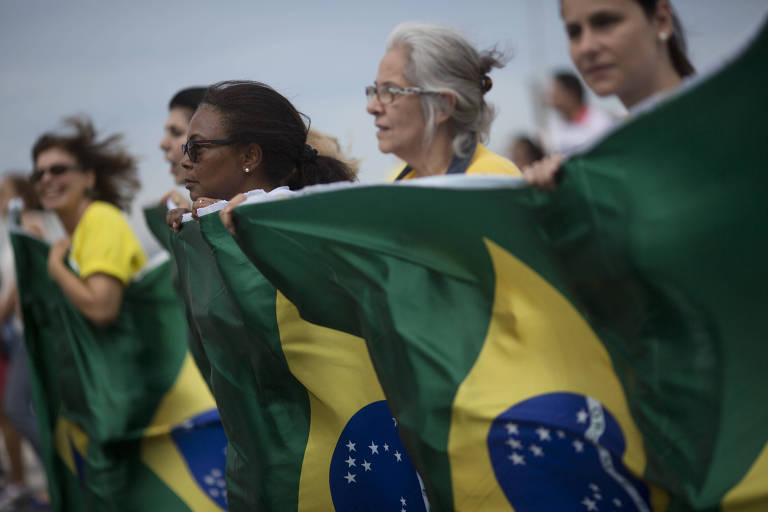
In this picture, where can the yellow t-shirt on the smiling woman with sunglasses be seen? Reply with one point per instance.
(104, 243)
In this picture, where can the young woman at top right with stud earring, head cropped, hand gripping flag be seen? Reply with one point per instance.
(634, 49)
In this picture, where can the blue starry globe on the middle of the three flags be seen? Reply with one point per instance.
(370, 469)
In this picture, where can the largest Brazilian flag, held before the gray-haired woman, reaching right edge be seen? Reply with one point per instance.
(599, 348)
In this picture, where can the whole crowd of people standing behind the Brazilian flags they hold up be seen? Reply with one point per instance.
(221, 142)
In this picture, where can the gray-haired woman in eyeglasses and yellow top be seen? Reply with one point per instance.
(429, 105)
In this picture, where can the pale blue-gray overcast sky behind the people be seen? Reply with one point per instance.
(120, 62)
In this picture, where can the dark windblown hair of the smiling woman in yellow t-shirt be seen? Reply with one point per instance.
(115, 169)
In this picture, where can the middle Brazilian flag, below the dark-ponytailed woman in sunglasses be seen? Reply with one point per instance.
(308, 426)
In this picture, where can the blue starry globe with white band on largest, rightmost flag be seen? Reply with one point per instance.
(562, 451)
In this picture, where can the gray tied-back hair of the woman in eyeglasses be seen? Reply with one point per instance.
(442, 59)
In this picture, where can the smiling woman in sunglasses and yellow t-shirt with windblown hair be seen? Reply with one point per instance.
(87, 182)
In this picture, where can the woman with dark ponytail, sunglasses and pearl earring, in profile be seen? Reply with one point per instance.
(246, 136)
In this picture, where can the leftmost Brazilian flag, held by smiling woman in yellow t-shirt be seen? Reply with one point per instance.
(126, 421)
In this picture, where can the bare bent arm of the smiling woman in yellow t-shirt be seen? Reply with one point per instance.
(98, 297)
